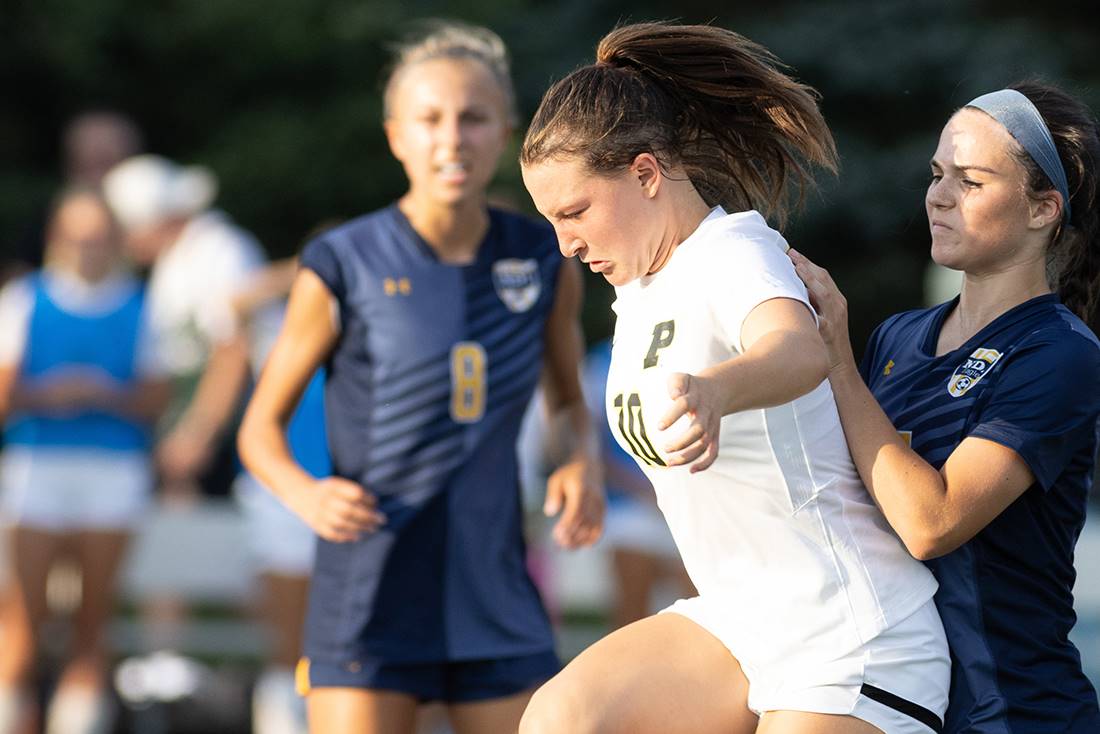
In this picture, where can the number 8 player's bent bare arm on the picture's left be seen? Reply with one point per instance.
(337, 509)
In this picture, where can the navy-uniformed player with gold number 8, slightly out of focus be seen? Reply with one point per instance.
(435, 319)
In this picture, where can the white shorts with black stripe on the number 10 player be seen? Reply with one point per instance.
(897, 682)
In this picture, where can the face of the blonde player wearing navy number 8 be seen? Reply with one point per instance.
(448, 127)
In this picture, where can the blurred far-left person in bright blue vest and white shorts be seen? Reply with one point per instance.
(82, 382)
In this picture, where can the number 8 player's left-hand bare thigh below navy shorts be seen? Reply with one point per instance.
(361, 711)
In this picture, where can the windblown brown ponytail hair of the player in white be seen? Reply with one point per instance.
(696, 96)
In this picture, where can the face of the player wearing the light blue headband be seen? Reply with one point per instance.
(977, 202)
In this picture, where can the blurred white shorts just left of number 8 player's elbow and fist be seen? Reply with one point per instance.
(280, 542)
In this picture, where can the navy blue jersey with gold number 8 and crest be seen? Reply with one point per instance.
(427, 386)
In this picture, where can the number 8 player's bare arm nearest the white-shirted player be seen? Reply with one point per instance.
(576, 489)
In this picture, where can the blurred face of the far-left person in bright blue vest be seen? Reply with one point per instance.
(83, 236)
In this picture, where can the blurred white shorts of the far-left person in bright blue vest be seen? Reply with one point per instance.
(65, 490)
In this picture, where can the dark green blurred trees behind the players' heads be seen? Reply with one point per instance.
(281, 98)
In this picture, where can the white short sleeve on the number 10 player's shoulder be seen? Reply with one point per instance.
(746, 272)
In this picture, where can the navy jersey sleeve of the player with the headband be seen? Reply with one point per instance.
(1048, 395)
